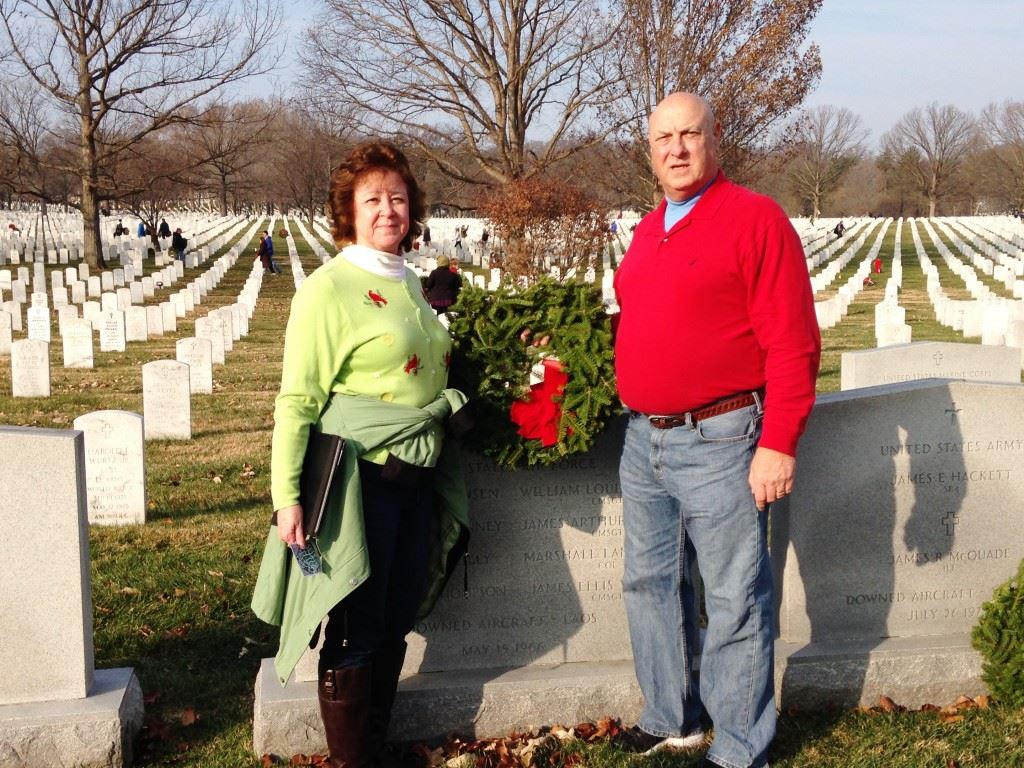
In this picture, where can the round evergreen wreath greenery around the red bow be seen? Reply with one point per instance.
(492, 365)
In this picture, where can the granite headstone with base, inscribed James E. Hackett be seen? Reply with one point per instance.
(901, 526)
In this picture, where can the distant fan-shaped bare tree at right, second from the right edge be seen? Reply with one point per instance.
(928, 146)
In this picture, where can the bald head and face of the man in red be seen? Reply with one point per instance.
(684, 146)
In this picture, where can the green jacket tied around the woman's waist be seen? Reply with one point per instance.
(297, 604)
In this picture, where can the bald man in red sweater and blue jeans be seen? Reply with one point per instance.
(717, 354)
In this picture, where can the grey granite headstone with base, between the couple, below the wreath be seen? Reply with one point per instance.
(542, 636)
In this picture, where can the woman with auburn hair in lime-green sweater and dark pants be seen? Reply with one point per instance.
(365, 358)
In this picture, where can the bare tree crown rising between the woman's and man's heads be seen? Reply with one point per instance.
(482, 78)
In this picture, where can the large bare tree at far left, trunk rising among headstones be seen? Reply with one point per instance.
(120, 70)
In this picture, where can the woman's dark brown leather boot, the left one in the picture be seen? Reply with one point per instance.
(345, 700)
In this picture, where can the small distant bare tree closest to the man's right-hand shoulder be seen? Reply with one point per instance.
(831, 141)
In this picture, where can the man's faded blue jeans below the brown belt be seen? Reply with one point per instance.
(687, 496)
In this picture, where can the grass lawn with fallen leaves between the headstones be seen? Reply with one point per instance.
(172, 598)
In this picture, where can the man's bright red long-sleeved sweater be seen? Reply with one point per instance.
(720, 306)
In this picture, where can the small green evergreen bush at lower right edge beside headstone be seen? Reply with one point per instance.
(1000, 639)
